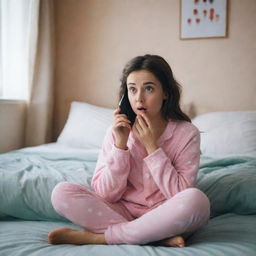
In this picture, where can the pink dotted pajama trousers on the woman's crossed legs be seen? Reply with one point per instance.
(184, 213)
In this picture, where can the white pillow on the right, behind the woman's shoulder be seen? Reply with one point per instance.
(227, 133)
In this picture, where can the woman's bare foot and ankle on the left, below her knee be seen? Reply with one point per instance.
(73, 236)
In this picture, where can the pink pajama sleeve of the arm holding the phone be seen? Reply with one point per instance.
(112, 169)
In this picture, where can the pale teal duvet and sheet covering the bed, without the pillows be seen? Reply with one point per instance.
(27, 179)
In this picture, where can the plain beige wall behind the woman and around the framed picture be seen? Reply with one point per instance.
(95, 38)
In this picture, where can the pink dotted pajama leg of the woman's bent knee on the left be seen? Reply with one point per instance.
(87, 209)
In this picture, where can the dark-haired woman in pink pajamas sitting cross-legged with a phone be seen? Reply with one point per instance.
(145, 174)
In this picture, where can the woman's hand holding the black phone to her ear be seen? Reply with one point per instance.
(121, 129)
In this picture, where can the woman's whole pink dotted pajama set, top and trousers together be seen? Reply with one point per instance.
(140, 198)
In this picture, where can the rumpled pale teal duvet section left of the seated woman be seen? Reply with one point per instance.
(27, 180)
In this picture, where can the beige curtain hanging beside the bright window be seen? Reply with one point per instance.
(38, 128)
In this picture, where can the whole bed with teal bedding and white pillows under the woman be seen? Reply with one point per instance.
(227, 175)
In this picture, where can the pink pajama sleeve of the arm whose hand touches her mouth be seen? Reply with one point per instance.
(173, 176)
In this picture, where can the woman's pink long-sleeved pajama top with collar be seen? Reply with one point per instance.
(142, 182)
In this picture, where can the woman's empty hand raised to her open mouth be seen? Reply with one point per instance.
(145, 132)
